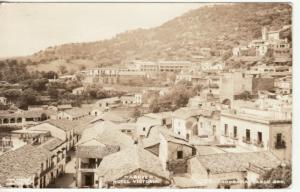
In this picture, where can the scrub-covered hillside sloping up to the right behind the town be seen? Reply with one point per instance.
(219, 27)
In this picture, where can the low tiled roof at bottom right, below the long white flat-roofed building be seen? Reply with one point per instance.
(236, 162)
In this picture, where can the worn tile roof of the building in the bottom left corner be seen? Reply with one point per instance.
(23, 162)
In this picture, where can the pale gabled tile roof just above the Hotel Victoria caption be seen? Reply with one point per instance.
(128, 160)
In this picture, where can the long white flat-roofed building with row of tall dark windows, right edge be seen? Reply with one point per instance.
(257, 130)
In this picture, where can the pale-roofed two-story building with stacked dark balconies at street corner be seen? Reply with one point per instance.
(96, 142)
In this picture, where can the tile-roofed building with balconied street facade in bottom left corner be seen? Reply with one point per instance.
(34, 165)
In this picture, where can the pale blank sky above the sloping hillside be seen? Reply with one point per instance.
(26, 28)
